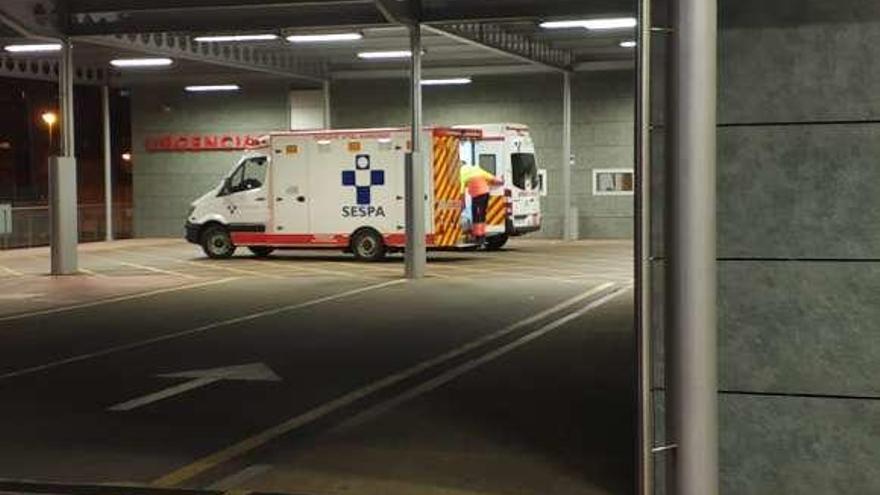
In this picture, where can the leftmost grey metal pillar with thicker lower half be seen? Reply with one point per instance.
(62, 176)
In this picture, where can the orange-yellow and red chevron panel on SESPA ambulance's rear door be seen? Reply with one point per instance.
(447, 191)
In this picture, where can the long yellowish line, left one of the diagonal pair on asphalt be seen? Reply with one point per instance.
(244, 446)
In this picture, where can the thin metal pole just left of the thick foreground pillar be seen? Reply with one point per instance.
(643, 267)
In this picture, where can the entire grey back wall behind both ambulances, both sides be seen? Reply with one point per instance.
(165, 183)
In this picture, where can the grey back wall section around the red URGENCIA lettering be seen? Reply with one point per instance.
(165, 183)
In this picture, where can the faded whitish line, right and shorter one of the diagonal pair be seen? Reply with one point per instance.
(463, 368)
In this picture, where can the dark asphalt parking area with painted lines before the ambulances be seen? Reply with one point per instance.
(500, 373)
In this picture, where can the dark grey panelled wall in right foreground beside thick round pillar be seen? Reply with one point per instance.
(798, 243)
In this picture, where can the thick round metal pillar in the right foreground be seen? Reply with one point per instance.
(692, 422)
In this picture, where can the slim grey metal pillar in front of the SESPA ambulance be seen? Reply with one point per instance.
(415, 256)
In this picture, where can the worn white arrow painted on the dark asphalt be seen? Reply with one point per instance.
(200, 378)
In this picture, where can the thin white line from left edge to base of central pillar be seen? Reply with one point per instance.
(193, 331)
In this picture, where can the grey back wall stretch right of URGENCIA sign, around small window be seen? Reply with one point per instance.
(602, 120)
